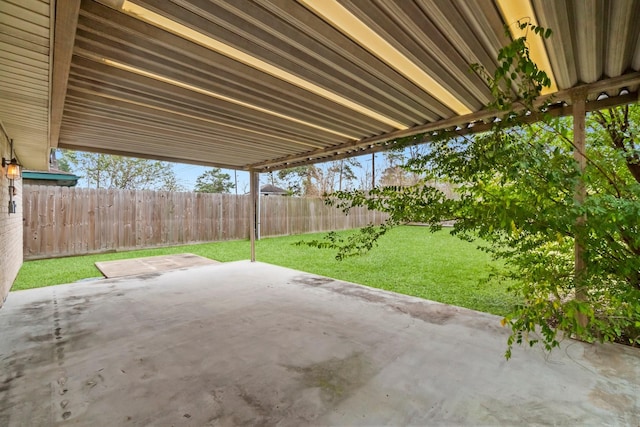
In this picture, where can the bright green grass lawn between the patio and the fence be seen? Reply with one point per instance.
(408, 260)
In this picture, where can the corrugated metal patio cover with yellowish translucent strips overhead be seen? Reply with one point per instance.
(275, 83)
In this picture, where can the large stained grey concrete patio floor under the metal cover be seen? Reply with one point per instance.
(254, 344)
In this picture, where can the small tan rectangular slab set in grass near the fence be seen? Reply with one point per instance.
(152, 264)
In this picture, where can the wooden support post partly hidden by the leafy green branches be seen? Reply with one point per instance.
(579, 115)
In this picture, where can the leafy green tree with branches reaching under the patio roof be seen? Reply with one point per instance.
(516, 195)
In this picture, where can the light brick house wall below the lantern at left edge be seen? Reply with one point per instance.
(10, 229)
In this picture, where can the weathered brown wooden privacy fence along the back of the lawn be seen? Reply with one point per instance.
(62, 221)
